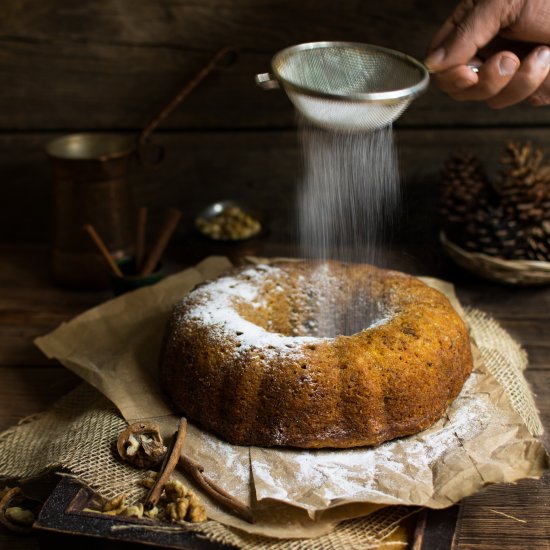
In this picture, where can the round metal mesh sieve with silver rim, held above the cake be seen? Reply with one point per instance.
(346, 86)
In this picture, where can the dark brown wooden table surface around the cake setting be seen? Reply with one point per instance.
(500, 517)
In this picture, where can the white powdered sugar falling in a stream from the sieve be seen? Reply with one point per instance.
(346, 204)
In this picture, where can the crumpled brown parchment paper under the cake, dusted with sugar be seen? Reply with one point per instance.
(296, 493)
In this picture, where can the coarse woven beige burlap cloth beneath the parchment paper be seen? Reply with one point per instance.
(75, 437)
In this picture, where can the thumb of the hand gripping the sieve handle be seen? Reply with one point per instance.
(471, 27)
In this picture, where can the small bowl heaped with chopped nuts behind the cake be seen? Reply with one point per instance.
(229, 221)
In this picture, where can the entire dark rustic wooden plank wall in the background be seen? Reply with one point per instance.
(68, 66)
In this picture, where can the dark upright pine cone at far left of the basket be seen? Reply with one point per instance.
(463, 188)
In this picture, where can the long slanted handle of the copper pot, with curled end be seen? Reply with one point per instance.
(178, 98)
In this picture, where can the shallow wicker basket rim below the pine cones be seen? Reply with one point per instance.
(515, 272)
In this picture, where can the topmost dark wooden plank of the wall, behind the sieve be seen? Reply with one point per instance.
(113, 64)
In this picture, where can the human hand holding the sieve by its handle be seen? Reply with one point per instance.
(507, 39)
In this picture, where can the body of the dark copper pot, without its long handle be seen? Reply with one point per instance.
(91, 185)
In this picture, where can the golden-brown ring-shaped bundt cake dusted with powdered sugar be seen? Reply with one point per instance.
(247, 357)
